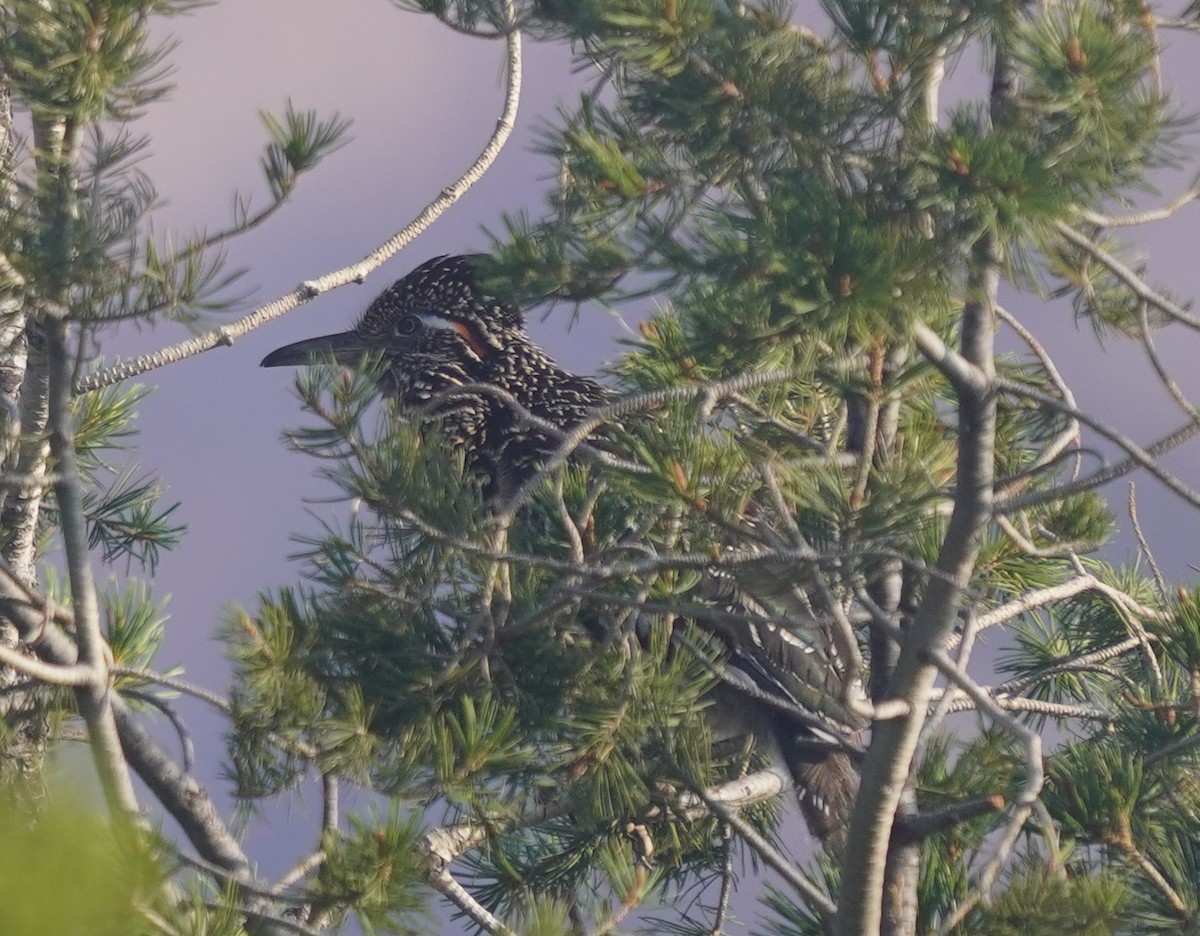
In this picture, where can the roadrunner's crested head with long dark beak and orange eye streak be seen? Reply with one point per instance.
(436, 328)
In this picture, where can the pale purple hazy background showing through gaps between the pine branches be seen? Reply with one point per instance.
(424, 101)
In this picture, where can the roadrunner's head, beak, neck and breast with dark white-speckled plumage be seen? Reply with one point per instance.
(445, 340)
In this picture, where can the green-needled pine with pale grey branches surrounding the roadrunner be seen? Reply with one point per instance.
(817, 412)
